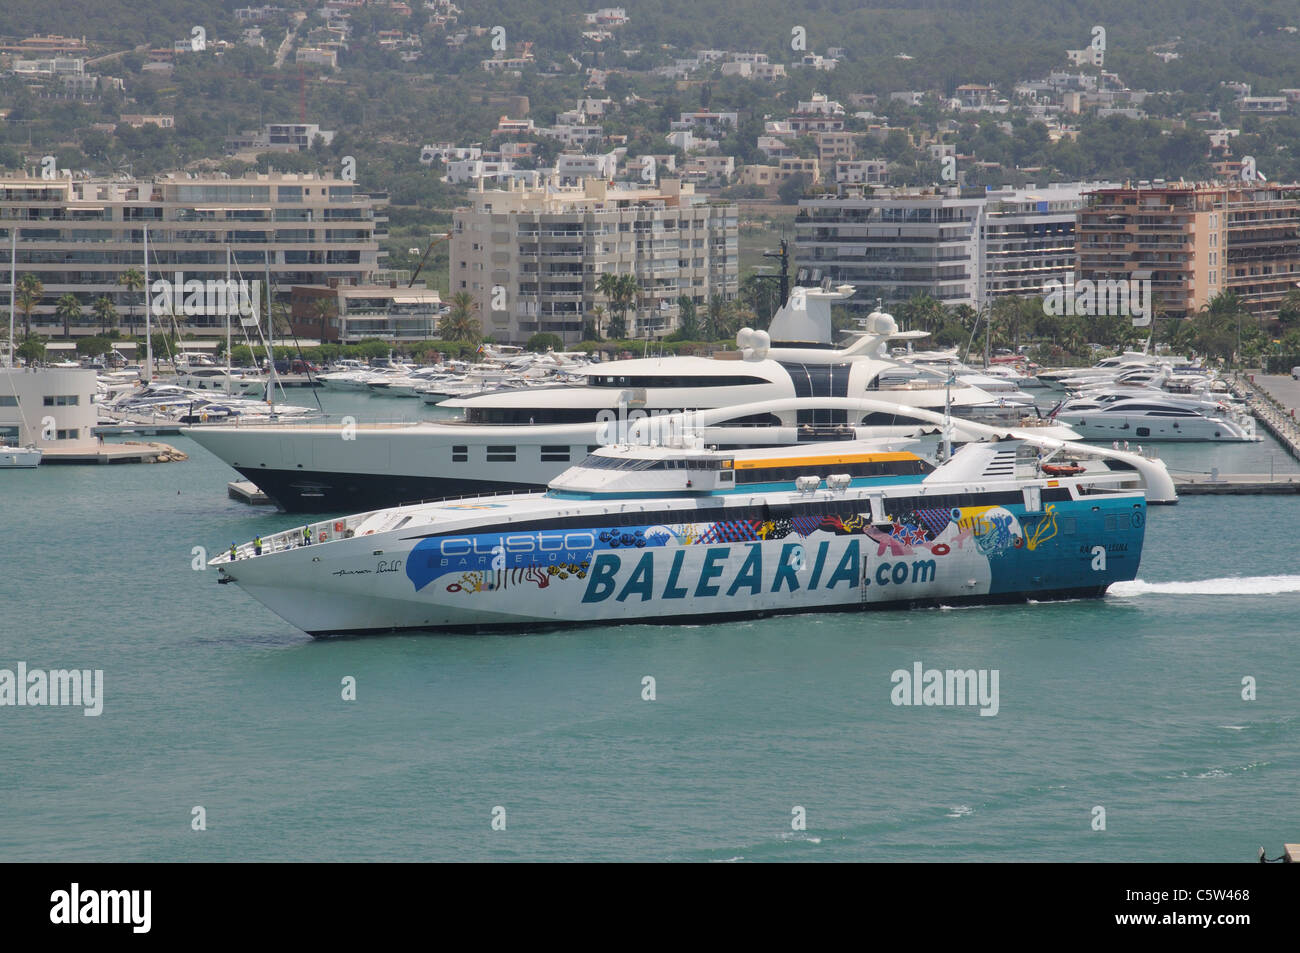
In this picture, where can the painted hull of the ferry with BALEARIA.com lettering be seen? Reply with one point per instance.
(684, 573)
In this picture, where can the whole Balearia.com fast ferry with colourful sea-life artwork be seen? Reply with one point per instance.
(686, 532)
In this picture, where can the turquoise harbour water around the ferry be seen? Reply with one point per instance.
(1132, 703)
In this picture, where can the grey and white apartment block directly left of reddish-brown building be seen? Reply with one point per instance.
(959, 246)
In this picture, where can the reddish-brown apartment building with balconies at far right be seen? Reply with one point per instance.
(1195, 241)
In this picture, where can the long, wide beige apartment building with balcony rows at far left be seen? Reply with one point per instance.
(80, 236)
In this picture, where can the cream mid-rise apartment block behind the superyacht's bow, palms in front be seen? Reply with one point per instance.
(531, 258)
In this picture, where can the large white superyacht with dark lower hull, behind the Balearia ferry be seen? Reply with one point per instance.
(522, 439)
